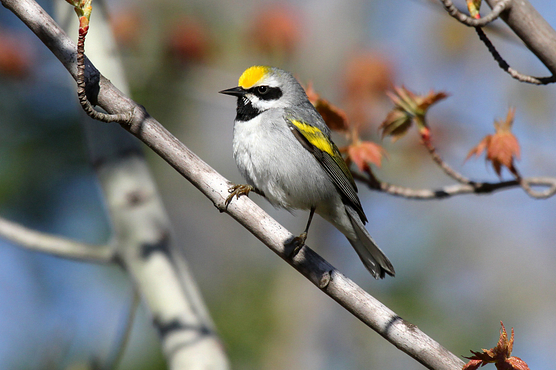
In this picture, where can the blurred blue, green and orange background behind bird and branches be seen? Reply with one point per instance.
(463, 264)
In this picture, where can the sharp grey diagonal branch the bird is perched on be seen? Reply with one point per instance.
(402, 334)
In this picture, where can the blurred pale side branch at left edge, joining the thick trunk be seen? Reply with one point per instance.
(54, 245)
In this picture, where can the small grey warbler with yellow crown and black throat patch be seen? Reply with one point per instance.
(282, 148)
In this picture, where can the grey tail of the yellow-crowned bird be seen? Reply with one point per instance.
(373, 258)
